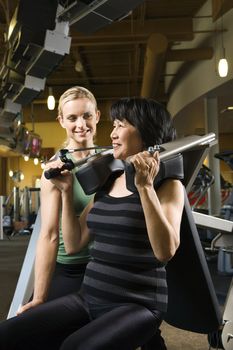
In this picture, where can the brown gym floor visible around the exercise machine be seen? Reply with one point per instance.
(12, 252)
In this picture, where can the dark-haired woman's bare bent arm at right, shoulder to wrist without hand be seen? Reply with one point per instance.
(163, 212)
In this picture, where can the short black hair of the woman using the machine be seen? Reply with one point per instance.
(150, 117)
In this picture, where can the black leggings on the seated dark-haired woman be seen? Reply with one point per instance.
(66, 324)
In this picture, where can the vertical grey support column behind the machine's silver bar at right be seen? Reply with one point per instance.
(211, 125)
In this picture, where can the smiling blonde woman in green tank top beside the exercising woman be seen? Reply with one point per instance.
(56, 272)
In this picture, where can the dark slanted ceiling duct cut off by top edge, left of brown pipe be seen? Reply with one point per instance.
(88, 16)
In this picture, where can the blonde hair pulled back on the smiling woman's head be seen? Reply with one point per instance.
(74, 93)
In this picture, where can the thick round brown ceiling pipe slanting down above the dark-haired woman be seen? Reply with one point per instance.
(156, 50)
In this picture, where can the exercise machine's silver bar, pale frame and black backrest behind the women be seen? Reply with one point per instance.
(198, 311)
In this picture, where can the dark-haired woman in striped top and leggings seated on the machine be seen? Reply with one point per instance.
(124, 294)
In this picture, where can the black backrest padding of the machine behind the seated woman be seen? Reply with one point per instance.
(192, 302)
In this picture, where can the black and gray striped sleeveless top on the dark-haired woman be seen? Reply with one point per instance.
(123, 267)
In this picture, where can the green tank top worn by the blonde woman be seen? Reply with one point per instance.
(80, 202)
